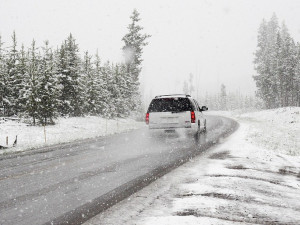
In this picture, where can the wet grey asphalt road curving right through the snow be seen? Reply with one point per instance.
(70, 183)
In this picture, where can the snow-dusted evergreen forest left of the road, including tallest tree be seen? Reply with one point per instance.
(42, 82)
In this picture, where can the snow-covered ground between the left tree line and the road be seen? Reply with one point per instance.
(65, 130)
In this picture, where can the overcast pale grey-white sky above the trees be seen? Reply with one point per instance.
(214, 40)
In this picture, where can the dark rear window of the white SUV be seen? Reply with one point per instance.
(170, 105)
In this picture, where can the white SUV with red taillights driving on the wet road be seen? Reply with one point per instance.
(170, 112)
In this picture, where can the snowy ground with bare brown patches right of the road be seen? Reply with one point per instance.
(252, 177)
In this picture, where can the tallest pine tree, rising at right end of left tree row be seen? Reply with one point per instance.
(134, 42)
